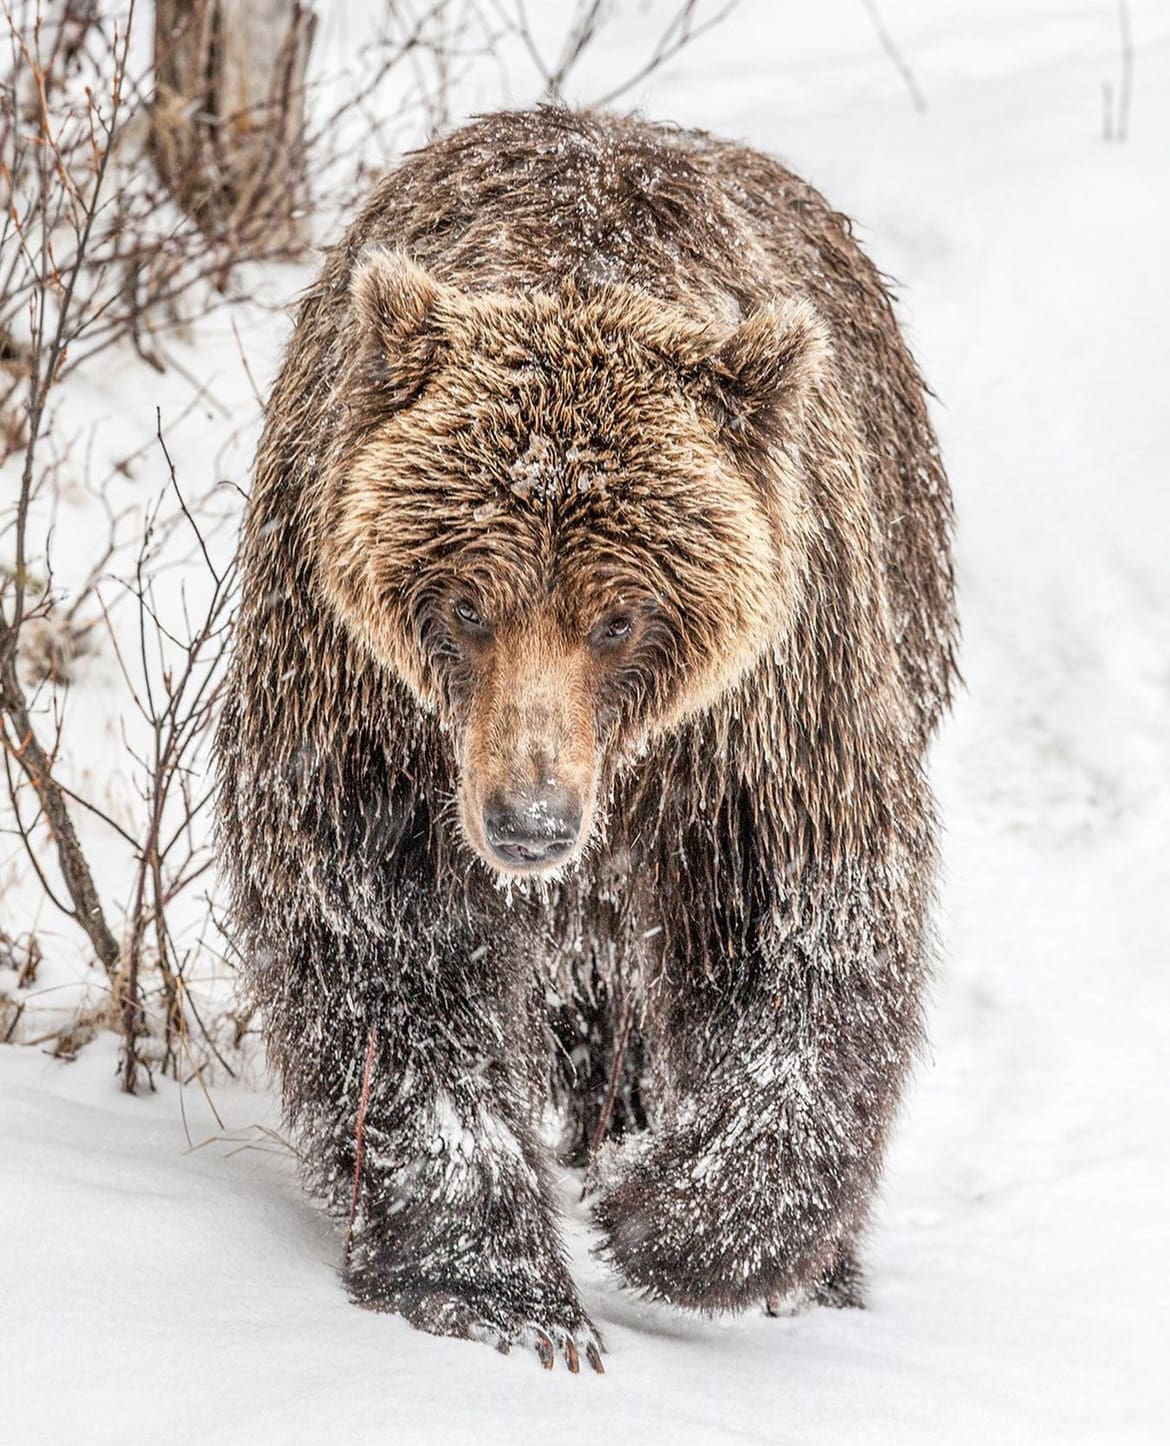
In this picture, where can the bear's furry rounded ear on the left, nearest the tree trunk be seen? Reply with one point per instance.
(401, 313)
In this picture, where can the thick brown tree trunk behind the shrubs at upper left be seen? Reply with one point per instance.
(229, 118)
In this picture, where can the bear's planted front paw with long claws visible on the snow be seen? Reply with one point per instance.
(503, 1314)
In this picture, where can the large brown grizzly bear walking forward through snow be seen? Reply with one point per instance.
(597, 614)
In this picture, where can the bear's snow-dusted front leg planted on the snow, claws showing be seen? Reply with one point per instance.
(417, 1092)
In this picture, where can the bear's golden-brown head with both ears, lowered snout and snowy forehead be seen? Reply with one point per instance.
(566, 523)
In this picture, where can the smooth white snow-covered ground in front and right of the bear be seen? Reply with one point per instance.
(1019, 1279)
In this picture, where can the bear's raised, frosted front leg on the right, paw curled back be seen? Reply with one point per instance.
(776, 1103)
